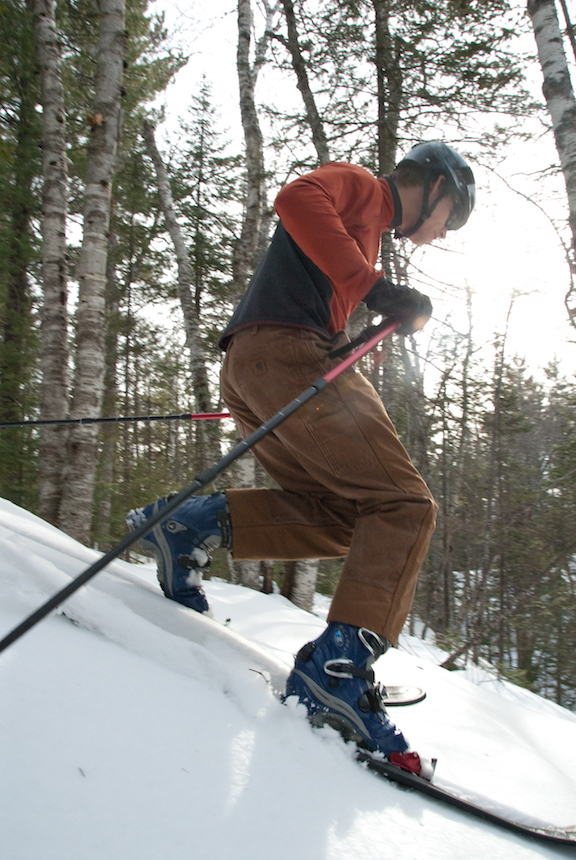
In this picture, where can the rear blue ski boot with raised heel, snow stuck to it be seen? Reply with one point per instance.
(182, 542)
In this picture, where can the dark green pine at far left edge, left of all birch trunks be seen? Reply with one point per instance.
(20, 207)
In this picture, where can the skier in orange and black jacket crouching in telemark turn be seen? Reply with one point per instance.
(348, 487)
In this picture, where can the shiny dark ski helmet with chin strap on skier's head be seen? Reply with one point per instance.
(441, 159)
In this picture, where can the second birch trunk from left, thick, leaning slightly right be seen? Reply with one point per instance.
(106, 122)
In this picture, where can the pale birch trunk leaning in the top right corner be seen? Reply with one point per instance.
(561, 104)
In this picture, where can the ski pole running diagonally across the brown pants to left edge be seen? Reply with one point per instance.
(201, 480)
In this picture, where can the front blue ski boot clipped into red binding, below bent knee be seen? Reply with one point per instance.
(333, 677)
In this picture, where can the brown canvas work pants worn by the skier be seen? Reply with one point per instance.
(348, 485)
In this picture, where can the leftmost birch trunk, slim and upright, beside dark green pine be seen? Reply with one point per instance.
(54, 388)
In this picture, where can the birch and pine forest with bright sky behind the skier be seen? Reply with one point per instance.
(140, 153)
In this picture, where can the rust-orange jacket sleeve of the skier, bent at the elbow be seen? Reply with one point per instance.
(334, 214)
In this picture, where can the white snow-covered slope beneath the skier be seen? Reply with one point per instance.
(120, 740)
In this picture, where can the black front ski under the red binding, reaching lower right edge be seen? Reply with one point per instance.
(407, 780)
